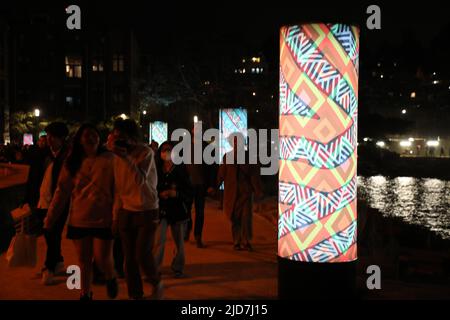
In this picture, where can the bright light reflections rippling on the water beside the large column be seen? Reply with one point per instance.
(416, 200)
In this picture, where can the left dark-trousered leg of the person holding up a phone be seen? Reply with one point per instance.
(128, 234)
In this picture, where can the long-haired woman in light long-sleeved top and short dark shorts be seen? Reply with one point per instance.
(87, 180)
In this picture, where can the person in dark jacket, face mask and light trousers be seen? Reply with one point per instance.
(174, 190)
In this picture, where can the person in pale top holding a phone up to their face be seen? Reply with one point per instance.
(136, 213)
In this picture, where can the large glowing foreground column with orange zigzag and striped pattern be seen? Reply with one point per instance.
(318, 139)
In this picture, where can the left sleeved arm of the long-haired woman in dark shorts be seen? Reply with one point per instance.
(60, 198)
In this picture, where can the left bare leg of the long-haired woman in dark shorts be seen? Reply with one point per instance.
(84, 249)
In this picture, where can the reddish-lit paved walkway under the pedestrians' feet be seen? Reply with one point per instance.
(216, 272)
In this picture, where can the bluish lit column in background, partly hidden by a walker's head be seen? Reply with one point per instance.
(231, 121)
